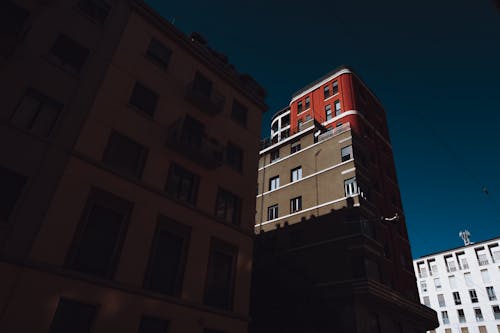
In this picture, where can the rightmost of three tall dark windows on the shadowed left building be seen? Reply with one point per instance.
(220, 275)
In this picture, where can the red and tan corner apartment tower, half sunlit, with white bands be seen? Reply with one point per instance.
(330, 224)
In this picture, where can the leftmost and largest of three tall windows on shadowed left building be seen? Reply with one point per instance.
(99, 236)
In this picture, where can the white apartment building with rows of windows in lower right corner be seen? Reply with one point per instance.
(462, 285)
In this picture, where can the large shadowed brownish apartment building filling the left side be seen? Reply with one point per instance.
(127, 173)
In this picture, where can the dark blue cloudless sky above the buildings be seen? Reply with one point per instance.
(435, 65)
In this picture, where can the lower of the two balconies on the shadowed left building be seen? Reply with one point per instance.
(195, 145)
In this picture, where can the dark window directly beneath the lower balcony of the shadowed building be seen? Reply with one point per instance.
(182, 184)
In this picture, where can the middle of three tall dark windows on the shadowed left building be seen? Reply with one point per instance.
(167, 259)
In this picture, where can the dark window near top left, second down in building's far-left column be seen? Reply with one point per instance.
(68, 54)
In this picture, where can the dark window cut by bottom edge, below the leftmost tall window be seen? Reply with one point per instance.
(72, 316)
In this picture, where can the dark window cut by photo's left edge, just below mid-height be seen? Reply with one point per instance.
(11, 187)
